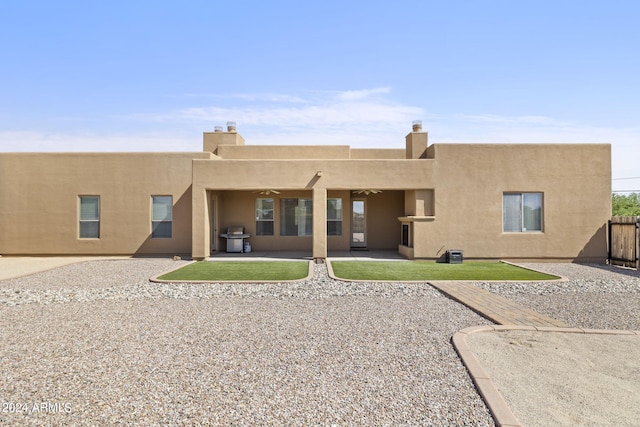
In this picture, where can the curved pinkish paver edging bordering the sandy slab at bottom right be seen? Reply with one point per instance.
(500, 411)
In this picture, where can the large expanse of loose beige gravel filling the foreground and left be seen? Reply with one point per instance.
(97, 344)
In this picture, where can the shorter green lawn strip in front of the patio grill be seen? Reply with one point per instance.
(240, 270)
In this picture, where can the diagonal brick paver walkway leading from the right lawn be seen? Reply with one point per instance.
(494, 307)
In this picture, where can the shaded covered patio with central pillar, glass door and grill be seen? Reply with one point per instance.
(305, 221)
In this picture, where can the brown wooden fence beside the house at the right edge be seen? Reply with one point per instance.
(624, 241)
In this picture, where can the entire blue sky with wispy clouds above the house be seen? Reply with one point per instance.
(139, 75)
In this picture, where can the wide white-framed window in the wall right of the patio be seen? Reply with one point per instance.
(522, 212)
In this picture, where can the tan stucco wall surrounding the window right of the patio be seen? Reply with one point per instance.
(575, 181)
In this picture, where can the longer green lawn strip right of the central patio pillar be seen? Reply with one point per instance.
(429, 270)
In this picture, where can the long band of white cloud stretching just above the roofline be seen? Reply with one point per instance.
(360, 118)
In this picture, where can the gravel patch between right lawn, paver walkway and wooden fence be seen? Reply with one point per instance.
(595, 296)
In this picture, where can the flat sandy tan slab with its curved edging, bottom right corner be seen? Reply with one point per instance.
(553, 376)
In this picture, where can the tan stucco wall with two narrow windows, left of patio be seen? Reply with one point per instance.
(39, 201)
